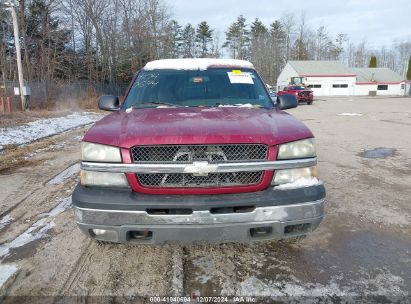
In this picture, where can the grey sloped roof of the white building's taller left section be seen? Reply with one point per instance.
(321, 68)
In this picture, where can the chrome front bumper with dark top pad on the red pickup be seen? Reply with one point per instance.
(125, 216)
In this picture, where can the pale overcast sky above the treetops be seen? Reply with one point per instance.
(379, 22)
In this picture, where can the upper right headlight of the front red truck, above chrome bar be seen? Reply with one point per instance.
(297, 149)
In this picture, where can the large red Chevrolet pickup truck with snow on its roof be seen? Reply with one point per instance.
(198, 151)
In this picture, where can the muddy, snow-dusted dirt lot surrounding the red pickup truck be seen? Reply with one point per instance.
(361, 249)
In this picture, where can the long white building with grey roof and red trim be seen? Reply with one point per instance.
(332, 78)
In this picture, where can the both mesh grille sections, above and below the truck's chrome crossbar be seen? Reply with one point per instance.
(197, 153)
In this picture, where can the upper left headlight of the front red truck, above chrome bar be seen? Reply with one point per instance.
(100, 153)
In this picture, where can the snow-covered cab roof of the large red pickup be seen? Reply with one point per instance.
(196, 64)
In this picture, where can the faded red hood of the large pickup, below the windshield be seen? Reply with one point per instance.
(157, 126)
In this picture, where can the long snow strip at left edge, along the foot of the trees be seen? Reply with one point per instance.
(45, 127)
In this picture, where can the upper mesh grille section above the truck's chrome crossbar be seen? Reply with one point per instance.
(190, 153)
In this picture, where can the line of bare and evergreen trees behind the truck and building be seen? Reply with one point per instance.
(107, 41)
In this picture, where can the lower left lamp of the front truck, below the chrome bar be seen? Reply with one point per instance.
(103, 179)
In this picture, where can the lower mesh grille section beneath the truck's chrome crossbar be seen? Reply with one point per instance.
(191, 181)
